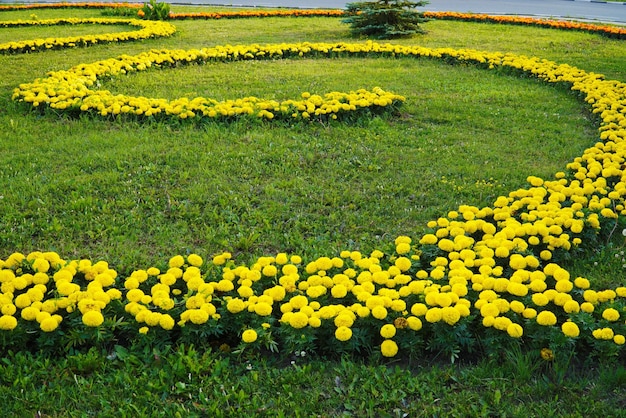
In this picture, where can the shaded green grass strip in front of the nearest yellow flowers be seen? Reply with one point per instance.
(185, 381)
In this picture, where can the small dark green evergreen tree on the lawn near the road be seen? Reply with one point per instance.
(385, 19)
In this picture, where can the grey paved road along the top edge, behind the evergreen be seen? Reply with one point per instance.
(577, 9)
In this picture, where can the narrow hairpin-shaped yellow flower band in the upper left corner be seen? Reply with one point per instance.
(149, 29)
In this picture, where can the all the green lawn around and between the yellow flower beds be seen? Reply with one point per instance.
(135, 194)
